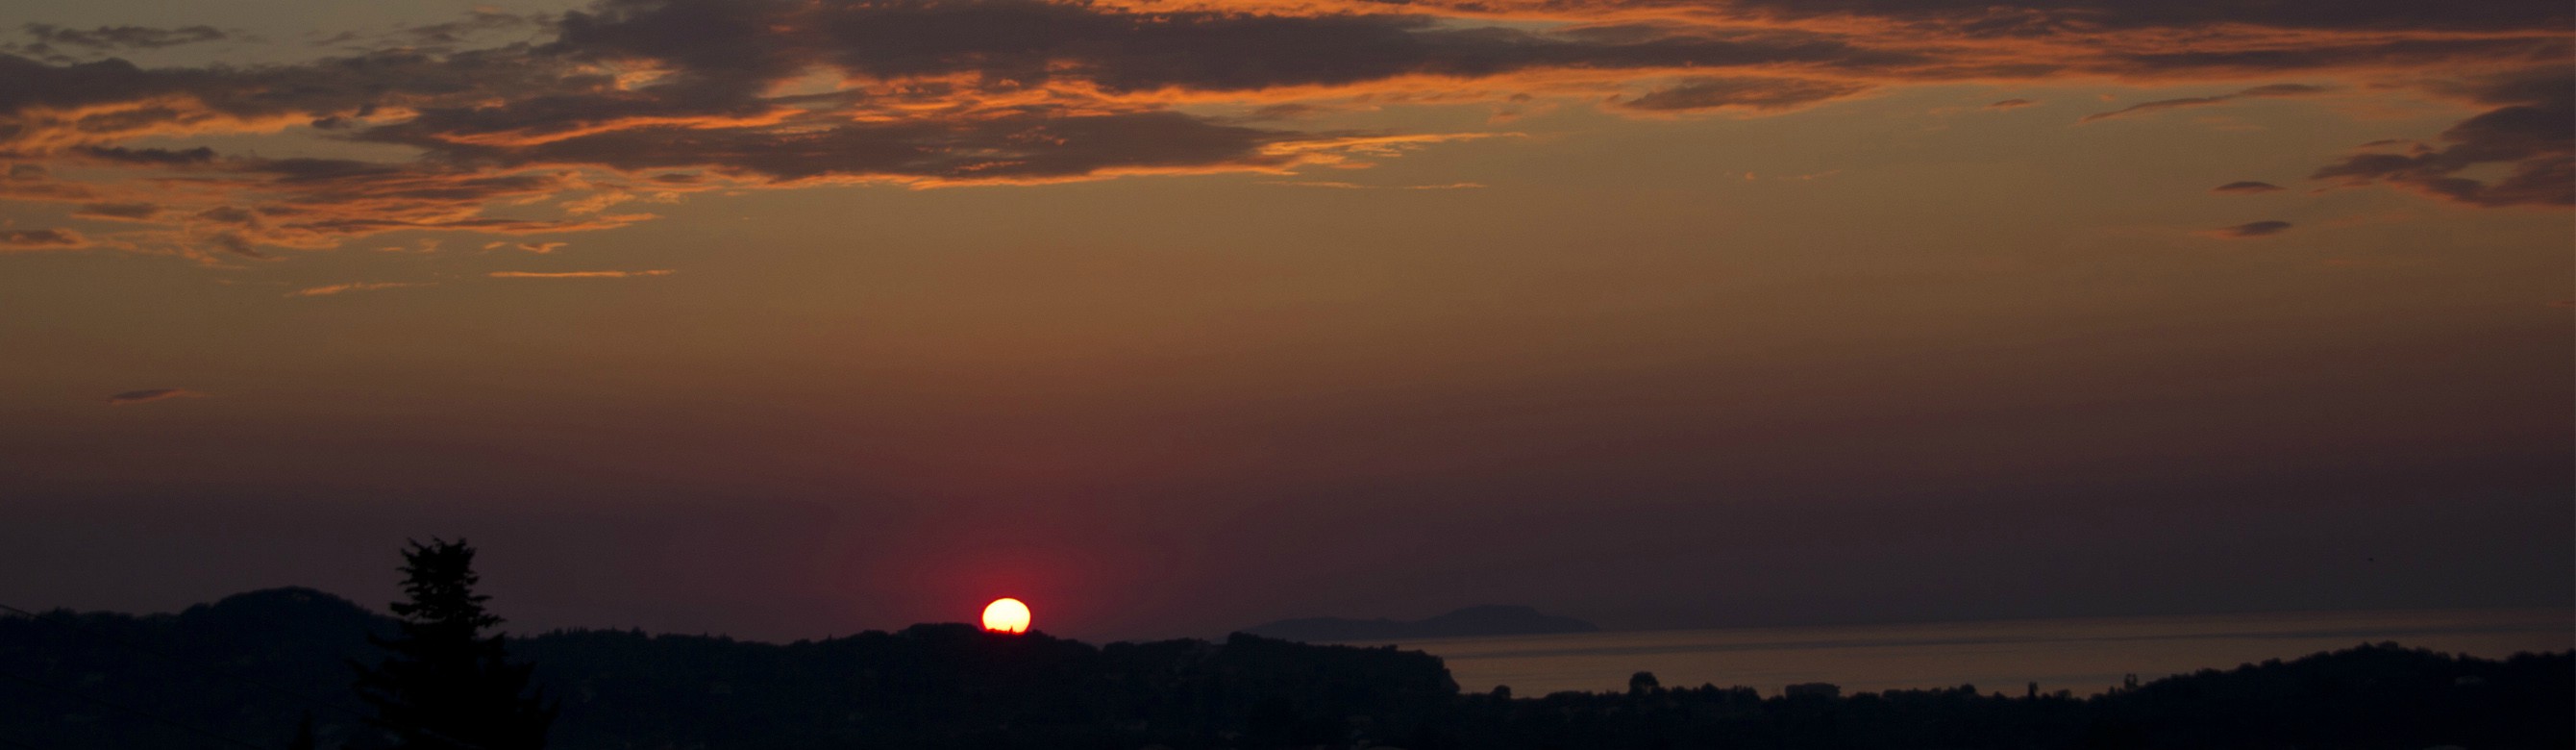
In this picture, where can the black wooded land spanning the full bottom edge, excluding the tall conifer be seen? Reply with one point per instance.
(251, 669)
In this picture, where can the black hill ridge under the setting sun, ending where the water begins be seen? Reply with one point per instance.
(251, 664)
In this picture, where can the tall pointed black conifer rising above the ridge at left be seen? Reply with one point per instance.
(444, 682)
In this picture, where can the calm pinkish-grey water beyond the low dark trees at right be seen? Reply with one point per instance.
(2080, 656)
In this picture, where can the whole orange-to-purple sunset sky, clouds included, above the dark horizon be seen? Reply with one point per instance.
(1171, 318)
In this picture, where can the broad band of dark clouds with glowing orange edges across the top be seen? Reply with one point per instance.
(638, 102)
